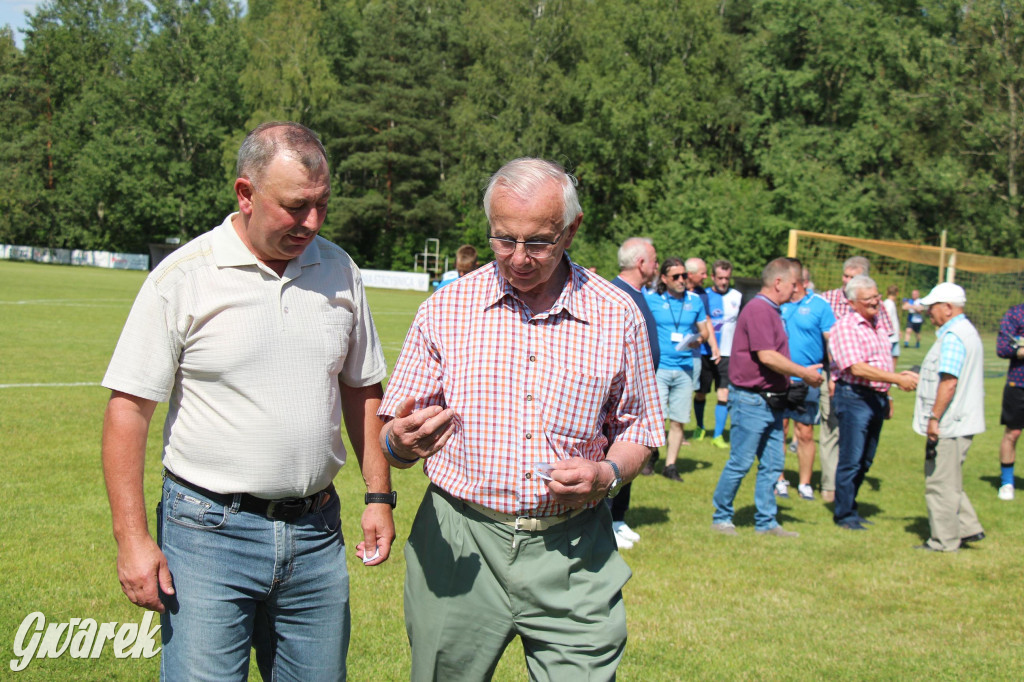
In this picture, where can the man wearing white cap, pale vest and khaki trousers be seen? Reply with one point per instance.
(949, 413)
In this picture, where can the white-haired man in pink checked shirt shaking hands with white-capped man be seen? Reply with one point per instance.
(863, 370)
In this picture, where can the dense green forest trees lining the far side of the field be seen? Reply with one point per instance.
(703, 124)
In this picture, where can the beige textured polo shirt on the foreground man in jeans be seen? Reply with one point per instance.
(250, 363)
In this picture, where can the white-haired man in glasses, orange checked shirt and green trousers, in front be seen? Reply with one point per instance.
(529, 391)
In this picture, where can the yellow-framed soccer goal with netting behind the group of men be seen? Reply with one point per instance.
(993, 284)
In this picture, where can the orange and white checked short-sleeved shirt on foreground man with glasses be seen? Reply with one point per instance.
(527, 389)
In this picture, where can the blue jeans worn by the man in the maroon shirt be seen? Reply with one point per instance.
(757, 432)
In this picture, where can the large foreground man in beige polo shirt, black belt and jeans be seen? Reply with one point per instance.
(259, 335)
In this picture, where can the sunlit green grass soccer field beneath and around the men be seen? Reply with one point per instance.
(829, 605)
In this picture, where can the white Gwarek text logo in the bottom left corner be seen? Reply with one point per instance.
(82, 638)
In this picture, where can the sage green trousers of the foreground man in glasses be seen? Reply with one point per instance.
(474, 584)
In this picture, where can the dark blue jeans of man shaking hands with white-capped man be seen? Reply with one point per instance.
(861, 412)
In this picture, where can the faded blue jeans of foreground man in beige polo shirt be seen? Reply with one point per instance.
(244, 581)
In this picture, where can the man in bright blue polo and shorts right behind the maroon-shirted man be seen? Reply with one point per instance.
(807, 319)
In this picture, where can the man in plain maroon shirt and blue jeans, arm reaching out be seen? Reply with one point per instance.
(759, 371)
